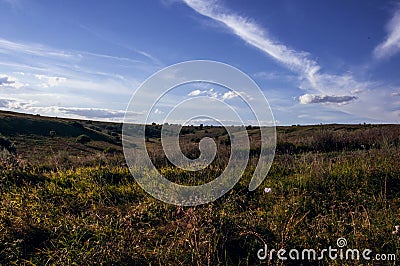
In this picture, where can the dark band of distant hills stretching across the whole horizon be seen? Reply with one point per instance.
(40, 135)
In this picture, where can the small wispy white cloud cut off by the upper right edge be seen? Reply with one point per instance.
(391, 45)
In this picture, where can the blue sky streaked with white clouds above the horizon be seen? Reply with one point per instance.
(333, 61)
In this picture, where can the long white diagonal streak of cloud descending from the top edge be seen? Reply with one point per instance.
(297, 61)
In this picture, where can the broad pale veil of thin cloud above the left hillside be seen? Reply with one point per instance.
(55, 79)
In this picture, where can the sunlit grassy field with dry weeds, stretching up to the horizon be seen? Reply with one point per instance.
(64, 201)
